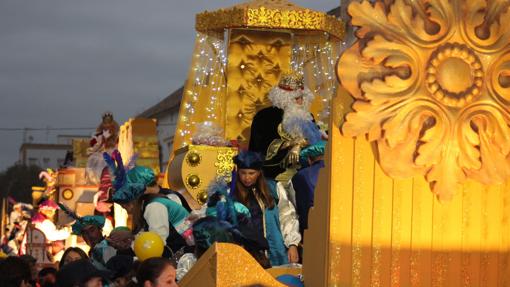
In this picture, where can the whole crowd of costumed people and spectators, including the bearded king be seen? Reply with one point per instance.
(263, 208)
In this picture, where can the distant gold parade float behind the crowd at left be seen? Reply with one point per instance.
(84, 187)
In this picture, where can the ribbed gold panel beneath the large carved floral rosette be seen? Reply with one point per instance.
(368, 229)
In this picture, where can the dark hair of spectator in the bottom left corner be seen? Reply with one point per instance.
(14, 271)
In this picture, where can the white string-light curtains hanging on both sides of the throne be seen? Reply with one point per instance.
(209, 77)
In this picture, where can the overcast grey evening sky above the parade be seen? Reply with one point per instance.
(63, 63)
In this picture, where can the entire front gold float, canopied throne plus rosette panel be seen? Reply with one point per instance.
(415, 188)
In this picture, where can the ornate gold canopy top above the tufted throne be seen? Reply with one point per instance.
(273, 14)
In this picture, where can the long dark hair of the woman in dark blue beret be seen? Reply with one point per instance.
(243, 194)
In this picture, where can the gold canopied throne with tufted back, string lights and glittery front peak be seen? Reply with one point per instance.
(240, 53)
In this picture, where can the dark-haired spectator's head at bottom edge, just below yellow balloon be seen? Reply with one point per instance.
(156, 272)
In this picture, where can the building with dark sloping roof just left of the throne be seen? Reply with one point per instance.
(166, 112)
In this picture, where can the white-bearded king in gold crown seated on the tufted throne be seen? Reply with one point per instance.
(284, 134)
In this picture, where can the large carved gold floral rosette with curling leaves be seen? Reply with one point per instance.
(431, 83)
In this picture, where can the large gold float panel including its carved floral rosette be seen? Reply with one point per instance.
(416, 186)
